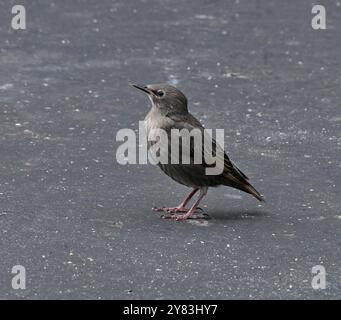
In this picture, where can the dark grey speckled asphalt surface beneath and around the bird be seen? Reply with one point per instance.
(82, 225)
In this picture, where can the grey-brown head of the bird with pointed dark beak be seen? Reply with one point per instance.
(166, 98)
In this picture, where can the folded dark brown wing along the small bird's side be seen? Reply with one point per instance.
(230, 171)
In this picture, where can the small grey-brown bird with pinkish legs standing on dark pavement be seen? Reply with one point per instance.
(169, 110)
